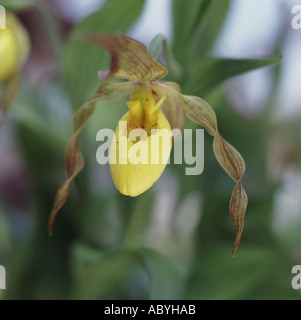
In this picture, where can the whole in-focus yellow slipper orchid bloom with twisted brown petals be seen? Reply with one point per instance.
(153, 104)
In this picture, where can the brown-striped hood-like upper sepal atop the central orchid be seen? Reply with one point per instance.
(130, 59)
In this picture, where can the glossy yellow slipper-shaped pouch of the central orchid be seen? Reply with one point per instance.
(134, 176)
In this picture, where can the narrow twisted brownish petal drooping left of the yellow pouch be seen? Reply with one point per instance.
(74, 159)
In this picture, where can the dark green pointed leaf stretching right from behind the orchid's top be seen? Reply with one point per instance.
(213, 71)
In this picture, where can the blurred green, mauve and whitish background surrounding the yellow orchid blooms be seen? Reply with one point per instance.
(174, 241)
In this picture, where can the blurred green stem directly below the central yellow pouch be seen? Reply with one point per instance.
(138, 220)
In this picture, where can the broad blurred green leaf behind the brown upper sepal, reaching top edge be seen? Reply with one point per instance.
(83, 60)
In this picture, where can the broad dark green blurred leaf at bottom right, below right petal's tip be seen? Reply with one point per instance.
(258, 273)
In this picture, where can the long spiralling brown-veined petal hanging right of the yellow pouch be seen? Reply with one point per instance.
(230, 160)
